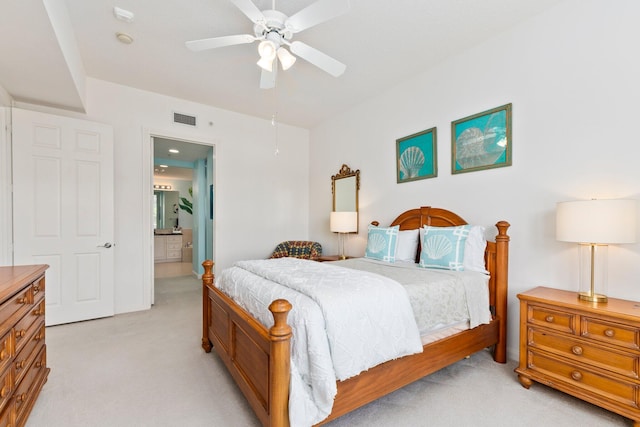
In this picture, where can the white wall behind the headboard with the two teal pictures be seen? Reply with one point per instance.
(572, 76)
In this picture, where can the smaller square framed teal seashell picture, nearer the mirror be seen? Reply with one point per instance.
(416, 156)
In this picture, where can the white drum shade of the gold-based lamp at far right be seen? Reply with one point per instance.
(597, 221)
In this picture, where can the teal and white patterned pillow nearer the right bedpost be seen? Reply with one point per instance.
(443, 247)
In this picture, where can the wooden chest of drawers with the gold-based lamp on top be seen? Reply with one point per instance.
(589, 350)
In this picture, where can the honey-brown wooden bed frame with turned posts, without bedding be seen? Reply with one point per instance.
(258, 358)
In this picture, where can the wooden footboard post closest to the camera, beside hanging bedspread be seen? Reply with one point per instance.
(279, 364)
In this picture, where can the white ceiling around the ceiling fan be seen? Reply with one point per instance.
(381, 42)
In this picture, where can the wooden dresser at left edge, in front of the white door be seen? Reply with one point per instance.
(23, 357)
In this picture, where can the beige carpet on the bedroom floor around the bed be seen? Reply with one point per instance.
(148, 369)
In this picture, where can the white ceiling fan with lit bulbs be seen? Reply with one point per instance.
(274, 30)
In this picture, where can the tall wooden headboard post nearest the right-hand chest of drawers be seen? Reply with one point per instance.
(502, 261)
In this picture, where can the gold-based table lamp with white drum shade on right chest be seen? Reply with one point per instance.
(594, 224)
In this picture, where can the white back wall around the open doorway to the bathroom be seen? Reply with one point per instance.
(258, 204)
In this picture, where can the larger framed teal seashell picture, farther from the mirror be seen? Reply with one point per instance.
(481, 141)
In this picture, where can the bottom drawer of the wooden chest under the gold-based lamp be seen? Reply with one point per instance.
(625, 393)
